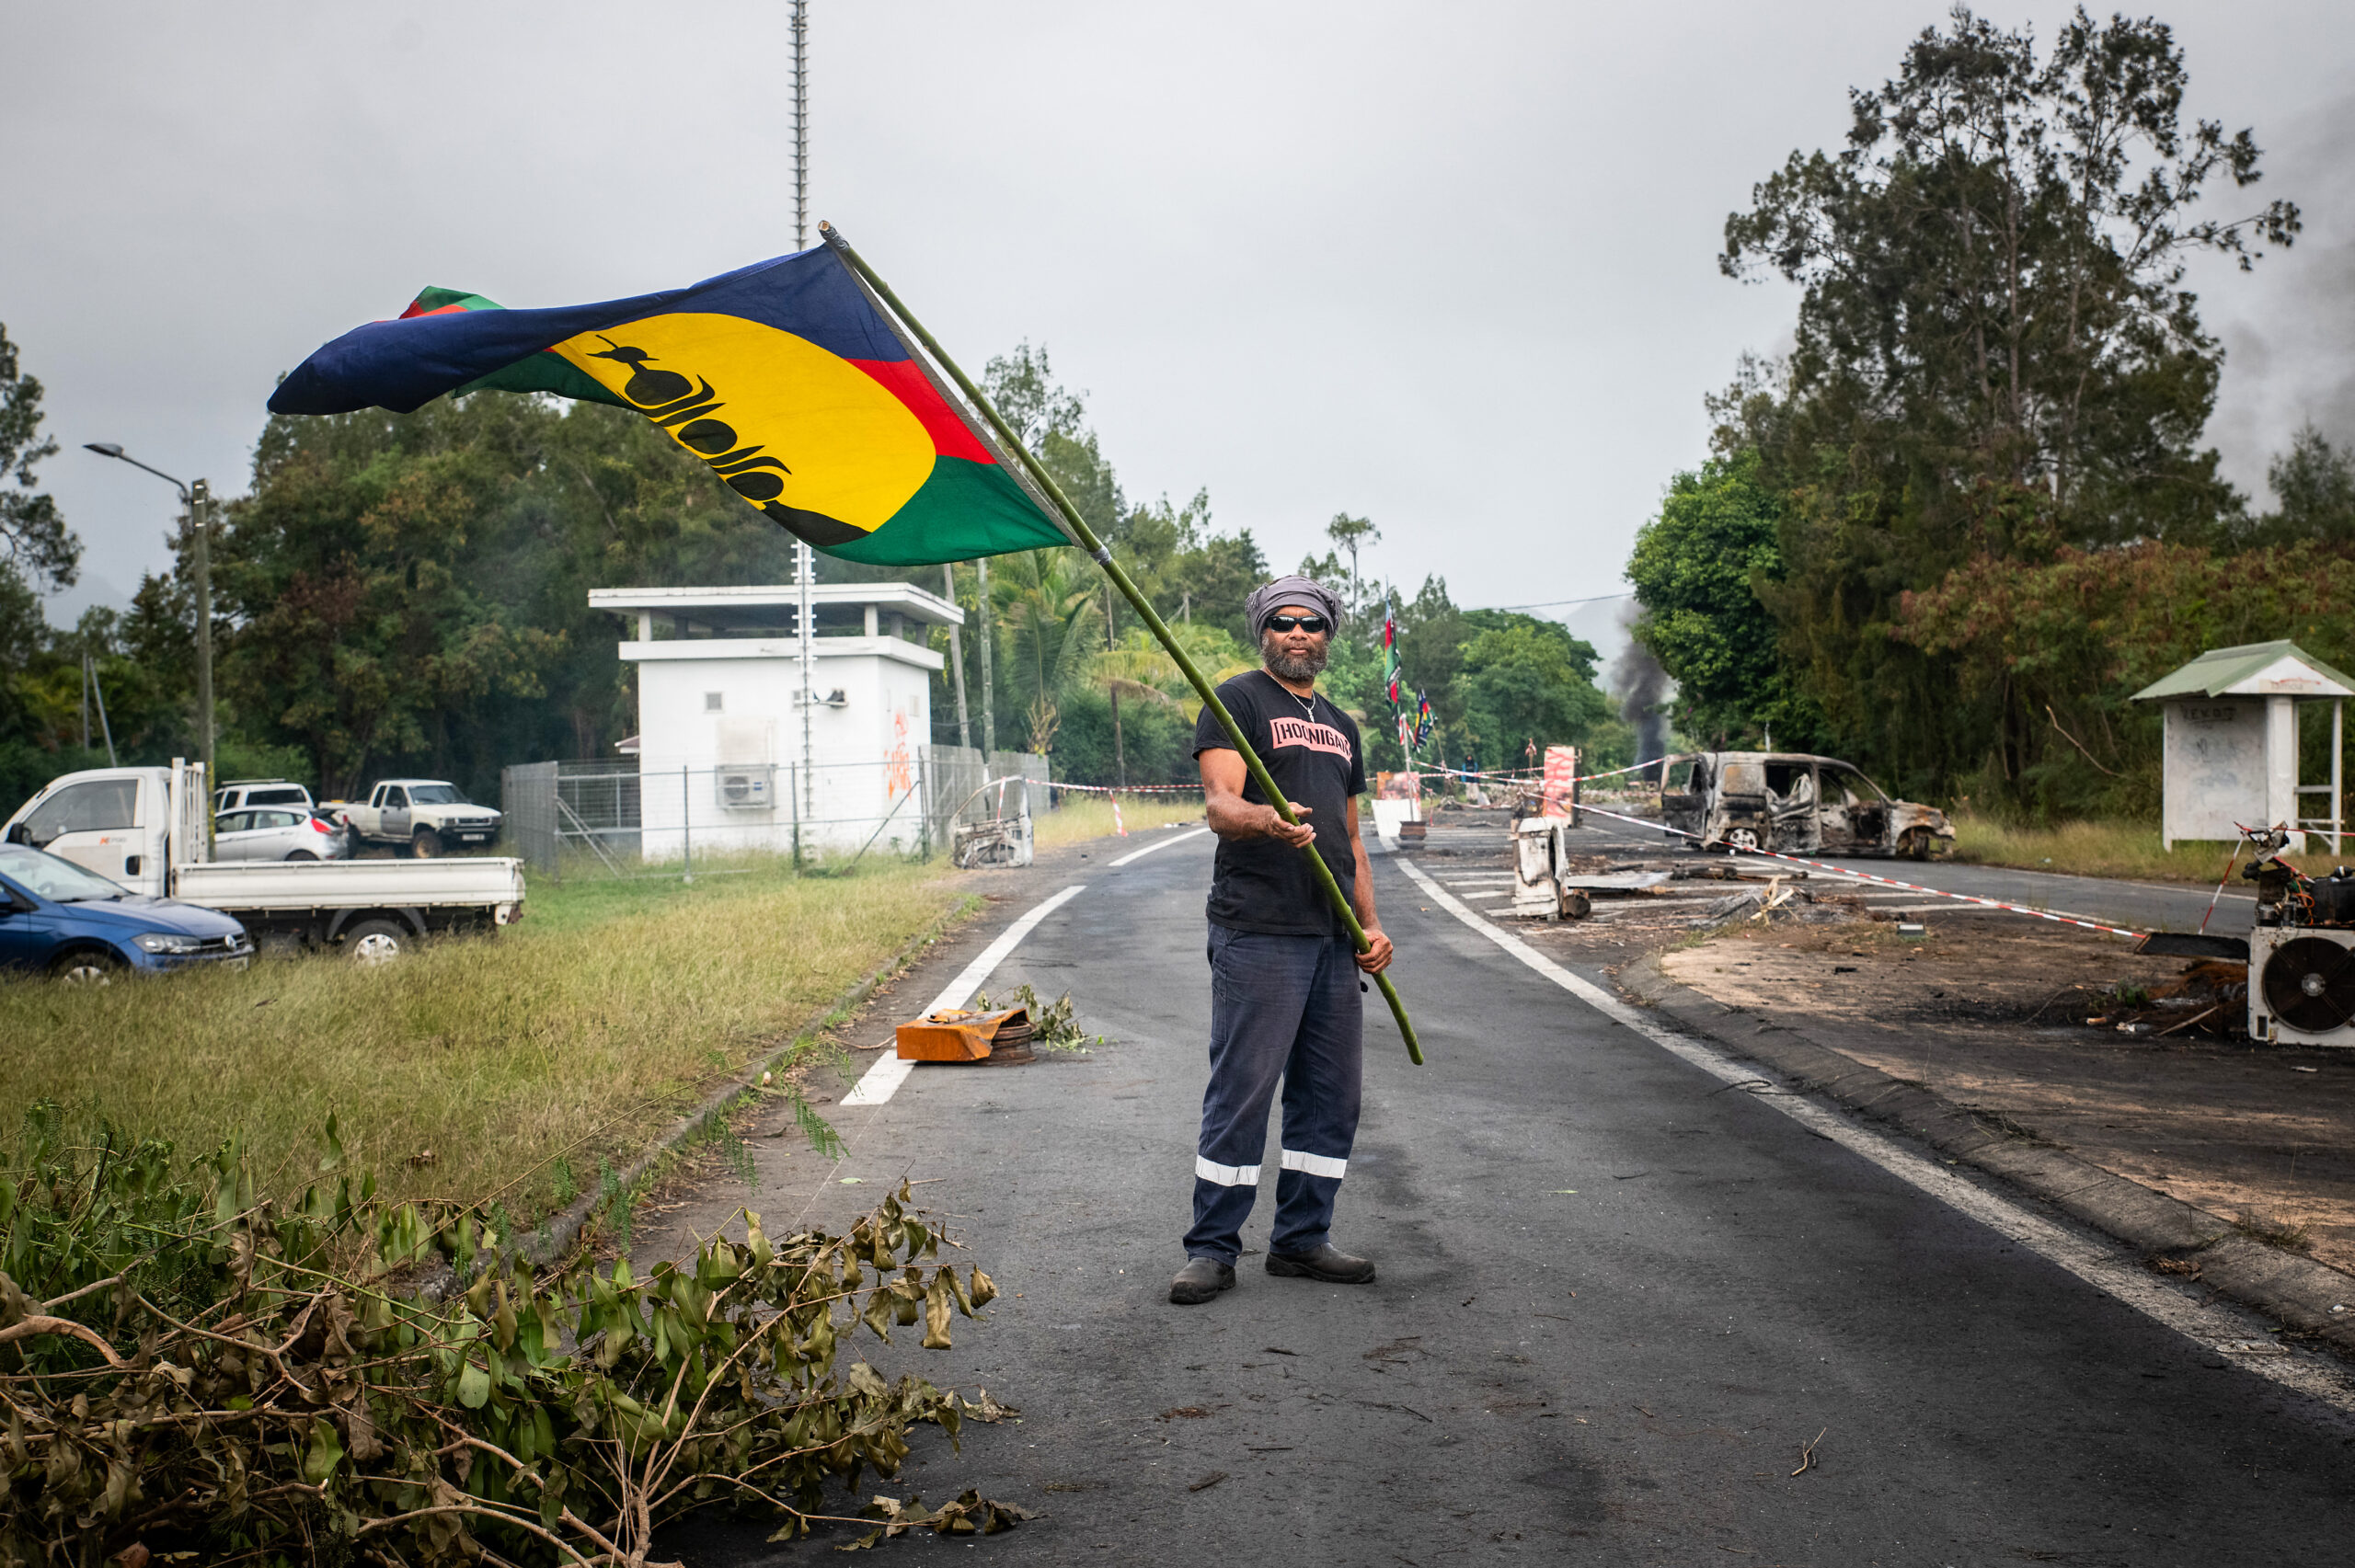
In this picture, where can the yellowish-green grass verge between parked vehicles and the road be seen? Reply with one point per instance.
(477, 1068)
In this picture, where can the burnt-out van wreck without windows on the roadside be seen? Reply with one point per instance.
(1796, 804)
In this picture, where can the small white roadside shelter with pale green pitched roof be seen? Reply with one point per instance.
(2231, 752)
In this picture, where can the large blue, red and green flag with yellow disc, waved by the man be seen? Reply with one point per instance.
(788, 378)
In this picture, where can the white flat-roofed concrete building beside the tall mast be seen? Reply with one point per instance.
(724, 762)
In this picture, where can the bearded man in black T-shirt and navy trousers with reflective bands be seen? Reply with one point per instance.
(1285, 971)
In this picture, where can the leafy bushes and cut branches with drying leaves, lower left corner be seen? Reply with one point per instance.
(190, 1369)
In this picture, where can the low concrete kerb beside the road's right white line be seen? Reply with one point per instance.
(2281, 1284)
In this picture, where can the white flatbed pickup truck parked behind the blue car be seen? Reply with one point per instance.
(145, 828)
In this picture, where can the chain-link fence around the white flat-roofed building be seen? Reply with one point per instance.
(632, 820)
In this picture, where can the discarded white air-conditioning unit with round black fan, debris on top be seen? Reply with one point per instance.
(2302, 952)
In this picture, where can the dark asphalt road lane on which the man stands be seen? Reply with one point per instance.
(1617, 1305)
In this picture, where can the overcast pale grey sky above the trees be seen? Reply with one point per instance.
(1450, 267)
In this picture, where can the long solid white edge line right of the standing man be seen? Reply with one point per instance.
(2095, 1265)
